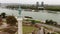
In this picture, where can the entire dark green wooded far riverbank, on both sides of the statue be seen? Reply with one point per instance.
(52, 8)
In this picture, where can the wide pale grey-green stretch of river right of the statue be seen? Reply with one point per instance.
(43, 15)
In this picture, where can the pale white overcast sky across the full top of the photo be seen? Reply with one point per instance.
(31, 1)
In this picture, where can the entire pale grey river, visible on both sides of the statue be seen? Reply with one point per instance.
(41, 15)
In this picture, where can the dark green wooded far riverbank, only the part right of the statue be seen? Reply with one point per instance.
(51, 8)
